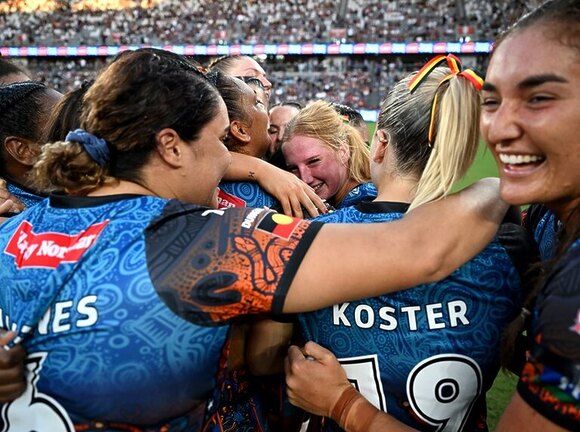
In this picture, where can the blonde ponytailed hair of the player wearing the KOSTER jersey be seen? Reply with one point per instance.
(405, 117)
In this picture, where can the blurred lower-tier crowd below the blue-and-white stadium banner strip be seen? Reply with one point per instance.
(357, 82)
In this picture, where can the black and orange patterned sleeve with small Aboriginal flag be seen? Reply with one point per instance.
(211, 266)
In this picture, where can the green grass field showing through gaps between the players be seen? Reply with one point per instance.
(505, 383)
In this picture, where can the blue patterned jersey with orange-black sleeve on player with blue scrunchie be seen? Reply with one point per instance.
(121, 304)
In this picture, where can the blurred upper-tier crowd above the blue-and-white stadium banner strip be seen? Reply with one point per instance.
(114, 22)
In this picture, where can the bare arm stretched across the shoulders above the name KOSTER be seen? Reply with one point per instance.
(425, 246)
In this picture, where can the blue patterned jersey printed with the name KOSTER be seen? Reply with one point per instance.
(427, 355)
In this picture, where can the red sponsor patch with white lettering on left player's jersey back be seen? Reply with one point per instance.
(50, 249)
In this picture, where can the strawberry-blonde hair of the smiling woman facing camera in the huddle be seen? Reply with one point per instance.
(319, 120)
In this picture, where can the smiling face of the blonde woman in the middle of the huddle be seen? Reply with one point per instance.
(316, 164)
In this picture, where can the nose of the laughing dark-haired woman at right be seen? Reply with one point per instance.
(501, 126)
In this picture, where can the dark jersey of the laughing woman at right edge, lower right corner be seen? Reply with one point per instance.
(550, 380)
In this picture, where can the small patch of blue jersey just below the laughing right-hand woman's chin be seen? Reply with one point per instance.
(545, 227)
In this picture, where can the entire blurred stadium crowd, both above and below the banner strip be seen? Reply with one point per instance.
(356, 81)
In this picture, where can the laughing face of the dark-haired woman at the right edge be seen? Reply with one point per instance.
(531, 119)
